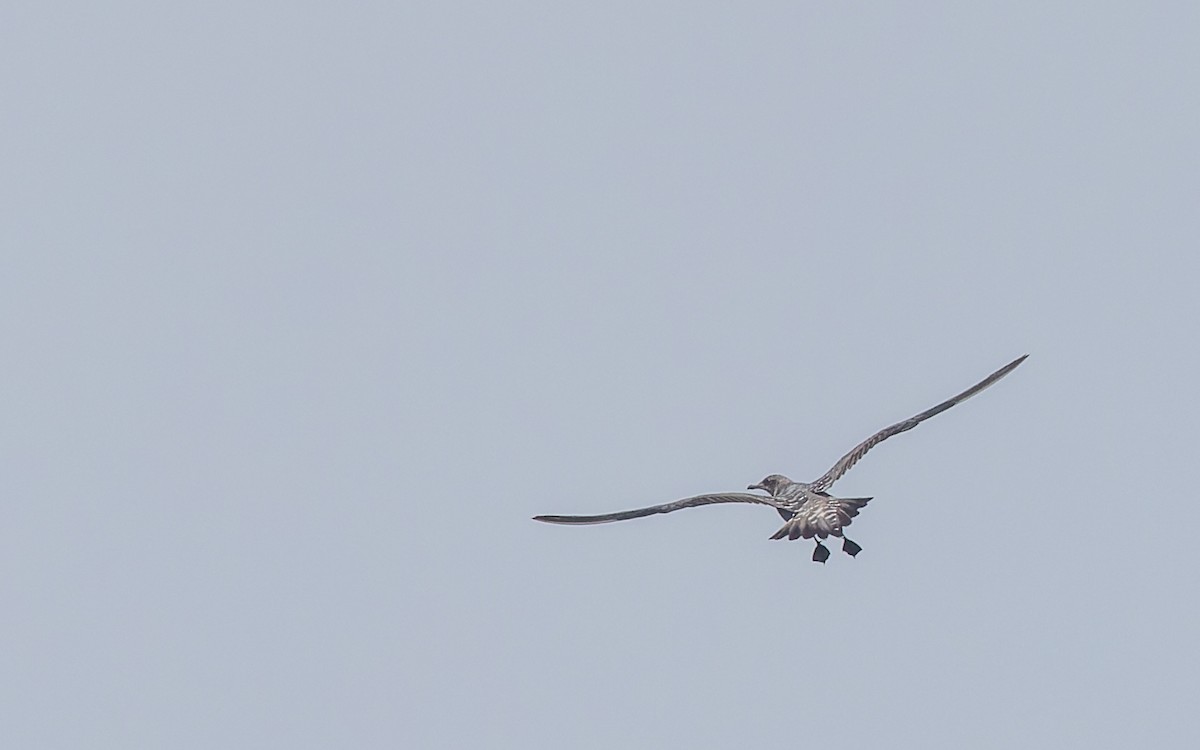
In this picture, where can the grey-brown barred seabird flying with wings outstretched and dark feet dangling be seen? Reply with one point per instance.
(807, 508)
